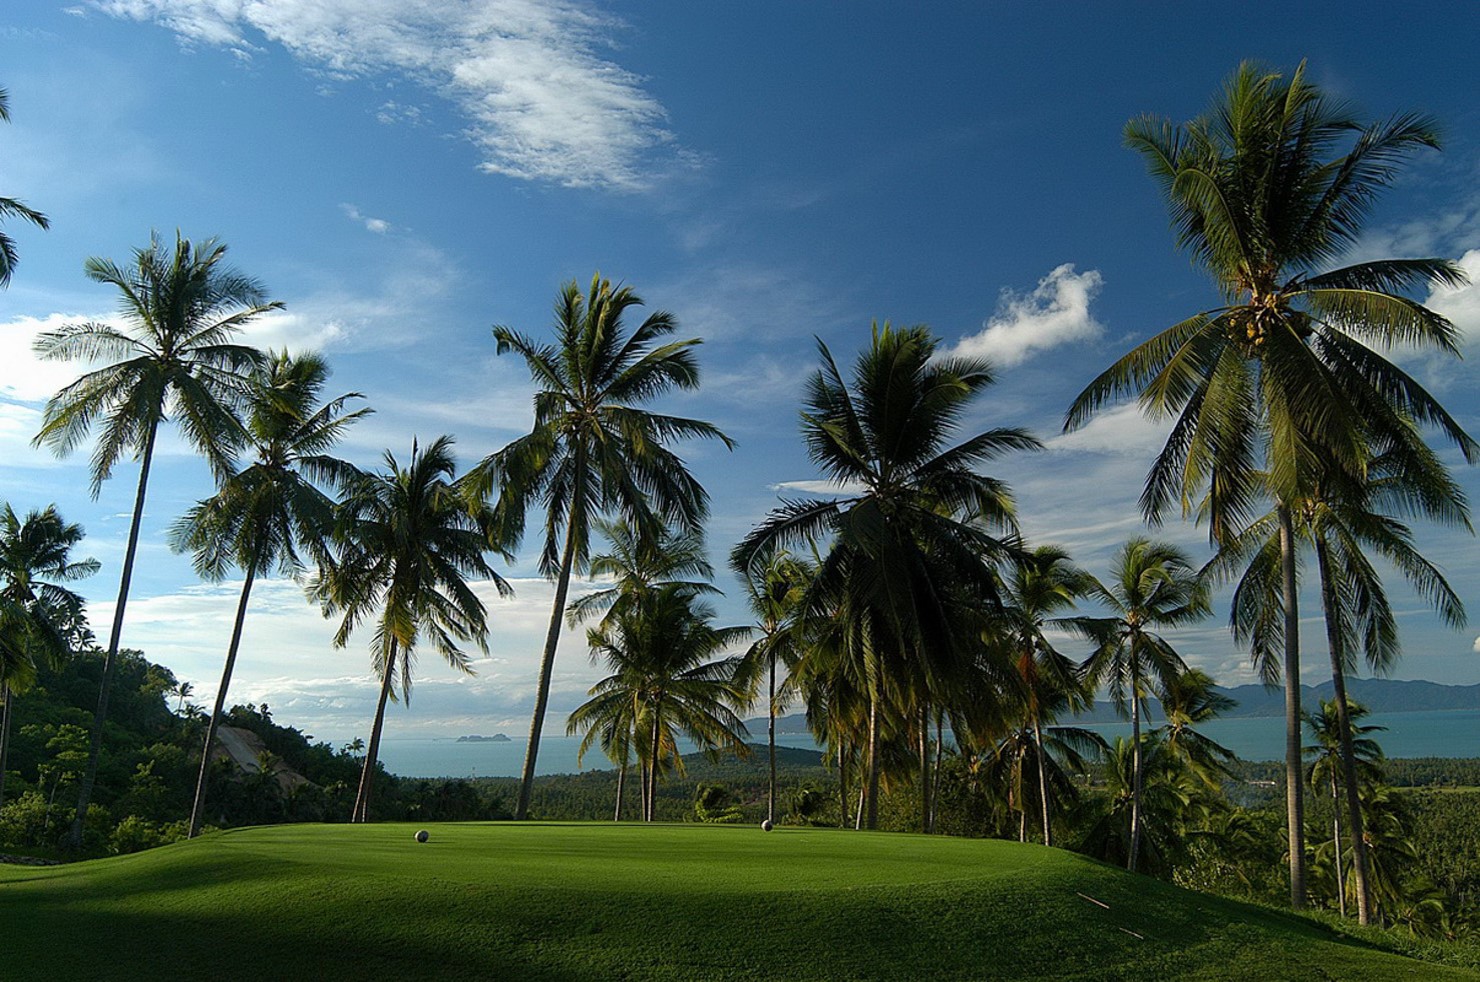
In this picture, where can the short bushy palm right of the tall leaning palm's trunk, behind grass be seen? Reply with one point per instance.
(668, 680)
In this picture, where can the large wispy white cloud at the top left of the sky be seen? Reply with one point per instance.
(529, 76)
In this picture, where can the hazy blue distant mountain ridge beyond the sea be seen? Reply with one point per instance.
(1380, 696)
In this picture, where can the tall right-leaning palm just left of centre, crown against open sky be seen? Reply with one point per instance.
(593, 450)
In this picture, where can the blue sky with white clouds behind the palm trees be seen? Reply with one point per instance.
(406, 175)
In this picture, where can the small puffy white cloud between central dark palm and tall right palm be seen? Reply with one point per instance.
(1057, 313)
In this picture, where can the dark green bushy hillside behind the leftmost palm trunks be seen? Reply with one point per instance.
(152, 756)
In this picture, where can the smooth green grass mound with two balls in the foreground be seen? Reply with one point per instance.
(548, 901)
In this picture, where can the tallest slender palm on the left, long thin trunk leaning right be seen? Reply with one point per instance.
(174, 360)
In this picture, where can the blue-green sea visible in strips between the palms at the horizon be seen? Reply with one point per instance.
(1423, 734)
